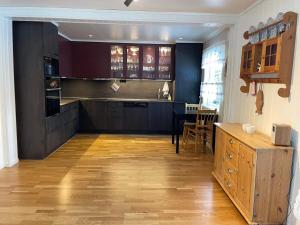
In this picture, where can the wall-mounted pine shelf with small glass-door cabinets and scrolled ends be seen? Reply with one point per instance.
(275, 57)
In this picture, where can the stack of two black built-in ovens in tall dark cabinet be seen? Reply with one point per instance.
(52, 86)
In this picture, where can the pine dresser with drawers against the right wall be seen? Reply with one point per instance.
(254, 173)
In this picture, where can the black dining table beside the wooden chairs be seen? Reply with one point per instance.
(181, 114)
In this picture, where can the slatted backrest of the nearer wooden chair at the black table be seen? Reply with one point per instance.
(206, 118)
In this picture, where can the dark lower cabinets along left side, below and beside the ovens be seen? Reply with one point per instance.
(61, 127)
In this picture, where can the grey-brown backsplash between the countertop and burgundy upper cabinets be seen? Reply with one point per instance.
(135, 89)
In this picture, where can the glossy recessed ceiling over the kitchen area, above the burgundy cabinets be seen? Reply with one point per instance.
(139, 32)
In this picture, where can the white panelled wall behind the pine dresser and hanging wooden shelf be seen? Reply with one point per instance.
(276, 109)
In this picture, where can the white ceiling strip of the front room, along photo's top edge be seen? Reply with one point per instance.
(199, 6)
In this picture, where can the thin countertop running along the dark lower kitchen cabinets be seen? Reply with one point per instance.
(65, 101)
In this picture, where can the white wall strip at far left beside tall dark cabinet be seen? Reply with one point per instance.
(8, 133)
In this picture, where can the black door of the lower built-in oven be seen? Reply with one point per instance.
(52, 102)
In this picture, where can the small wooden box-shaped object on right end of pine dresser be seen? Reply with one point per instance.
(281, 134)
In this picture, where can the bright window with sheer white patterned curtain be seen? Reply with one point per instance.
(212, 84)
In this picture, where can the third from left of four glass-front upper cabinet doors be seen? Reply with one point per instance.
(149, 65)
